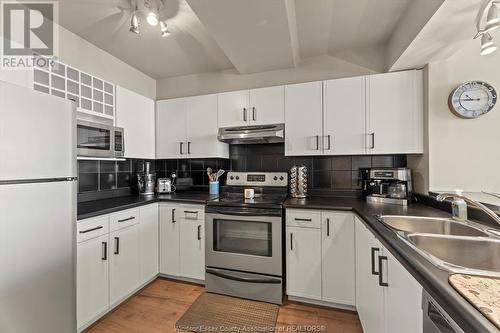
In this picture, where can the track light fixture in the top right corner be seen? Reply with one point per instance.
(489, 10)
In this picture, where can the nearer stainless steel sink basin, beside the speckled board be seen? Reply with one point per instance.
(465, 252)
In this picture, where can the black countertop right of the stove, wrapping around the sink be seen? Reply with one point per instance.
(432, 279)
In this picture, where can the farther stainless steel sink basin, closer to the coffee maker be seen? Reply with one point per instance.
(430, 225)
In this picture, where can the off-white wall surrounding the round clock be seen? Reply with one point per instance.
(462, 154)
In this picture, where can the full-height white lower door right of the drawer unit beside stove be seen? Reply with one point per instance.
(338, 257)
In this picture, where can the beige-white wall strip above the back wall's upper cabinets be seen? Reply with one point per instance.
(310, 69)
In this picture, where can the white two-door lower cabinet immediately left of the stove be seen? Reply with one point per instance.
(182, 244)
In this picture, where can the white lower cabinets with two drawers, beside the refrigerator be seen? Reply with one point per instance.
(116, 255)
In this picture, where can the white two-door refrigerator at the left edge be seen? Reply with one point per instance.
(37, 212)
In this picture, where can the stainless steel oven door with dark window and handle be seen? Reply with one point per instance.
(244, 239)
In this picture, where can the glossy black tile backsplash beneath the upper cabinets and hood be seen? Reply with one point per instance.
(99, 179)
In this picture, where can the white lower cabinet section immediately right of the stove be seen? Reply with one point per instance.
(320, 256)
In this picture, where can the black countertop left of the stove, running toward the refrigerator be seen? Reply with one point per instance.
(106, 206)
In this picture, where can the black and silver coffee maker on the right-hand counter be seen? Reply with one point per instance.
(387, 185)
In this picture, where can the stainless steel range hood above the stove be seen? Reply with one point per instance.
(252, 134)
